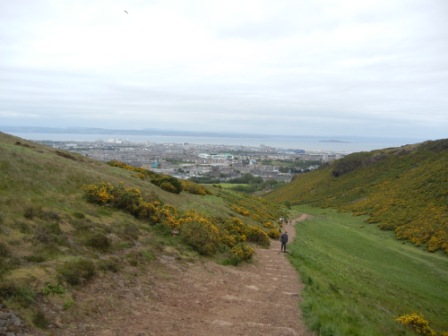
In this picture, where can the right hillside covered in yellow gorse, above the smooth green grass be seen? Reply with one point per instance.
(403, 189)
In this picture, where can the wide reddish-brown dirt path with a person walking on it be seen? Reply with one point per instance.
(197, 299)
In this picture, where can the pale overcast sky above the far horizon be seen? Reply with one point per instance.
(299, 67)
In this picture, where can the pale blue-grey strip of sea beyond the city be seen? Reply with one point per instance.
(336, 144)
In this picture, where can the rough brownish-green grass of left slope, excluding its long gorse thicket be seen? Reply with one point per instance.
(45, 220)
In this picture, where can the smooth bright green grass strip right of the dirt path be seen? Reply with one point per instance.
(359, 279)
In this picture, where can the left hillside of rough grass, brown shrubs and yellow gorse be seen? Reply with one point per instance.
(66, 219)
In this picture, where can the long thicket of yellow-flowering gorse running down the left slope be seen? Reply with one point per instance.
(203, 233)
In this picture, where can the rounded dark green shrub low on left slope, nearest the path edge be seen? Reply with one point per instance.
(77, 272)
